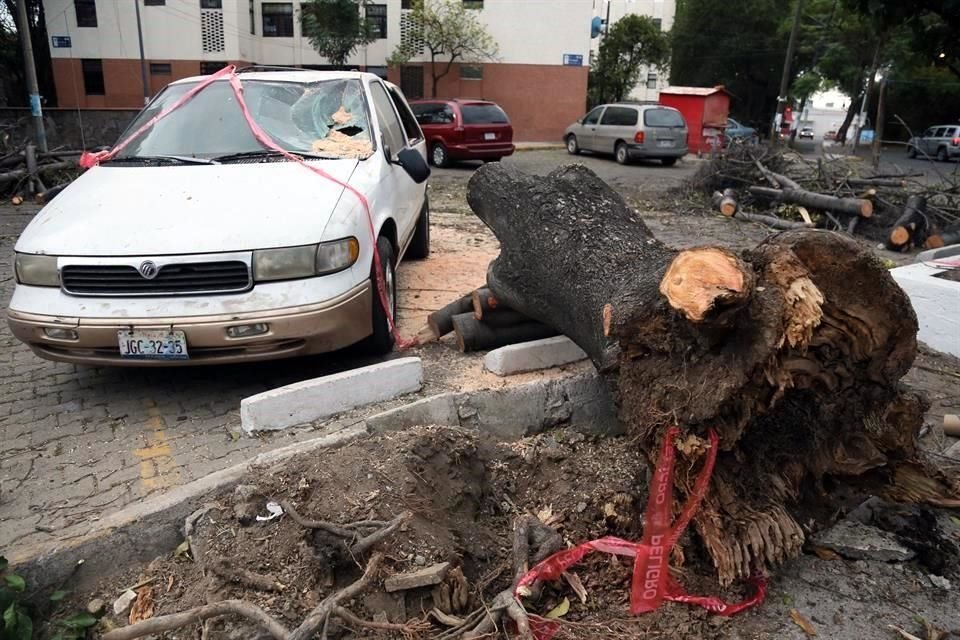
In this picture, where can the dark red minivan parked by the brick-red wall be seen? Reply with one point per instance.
(464, 130)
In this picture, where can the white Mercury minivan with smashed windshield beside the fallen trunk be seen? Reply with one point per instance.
(194, 244)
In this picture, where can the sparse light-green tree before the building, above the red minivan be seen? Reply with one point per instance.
(450, 33)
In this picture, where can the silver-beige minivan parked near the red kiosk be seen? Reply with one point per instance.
(630, 132)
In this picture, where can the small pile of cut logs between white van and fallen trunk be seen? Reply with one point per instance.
(481, 322)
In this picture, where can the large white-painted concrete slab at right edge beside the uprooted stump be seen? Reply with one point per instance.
(936, 302)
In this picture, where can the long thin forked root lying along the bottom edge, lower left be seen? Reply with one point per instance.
(318, 619)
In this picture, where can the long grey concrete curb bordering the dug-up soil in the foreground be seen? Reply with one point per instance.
(153, 527)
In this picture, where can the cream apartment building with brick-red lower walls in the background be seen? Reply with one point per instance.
(539, 75)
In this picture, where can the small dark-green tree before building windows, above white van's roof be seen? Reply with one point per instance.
(335, 28)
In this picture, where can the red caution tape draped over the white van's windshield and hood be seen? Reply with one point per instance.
(88, 160)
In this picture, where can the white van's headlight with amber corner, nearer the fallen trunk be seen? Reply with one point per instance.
(305, 261)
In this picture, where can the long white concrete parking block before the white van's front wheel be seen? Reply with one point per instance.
(320, 398)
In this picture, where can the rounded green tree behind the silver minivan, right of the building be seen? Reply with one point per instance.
(633, 42)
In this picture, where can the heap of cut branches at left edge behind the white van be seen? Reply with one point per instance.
(24, 174)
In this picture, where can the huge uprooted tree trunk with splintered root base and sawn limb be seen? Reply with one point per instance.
(797, 371)
